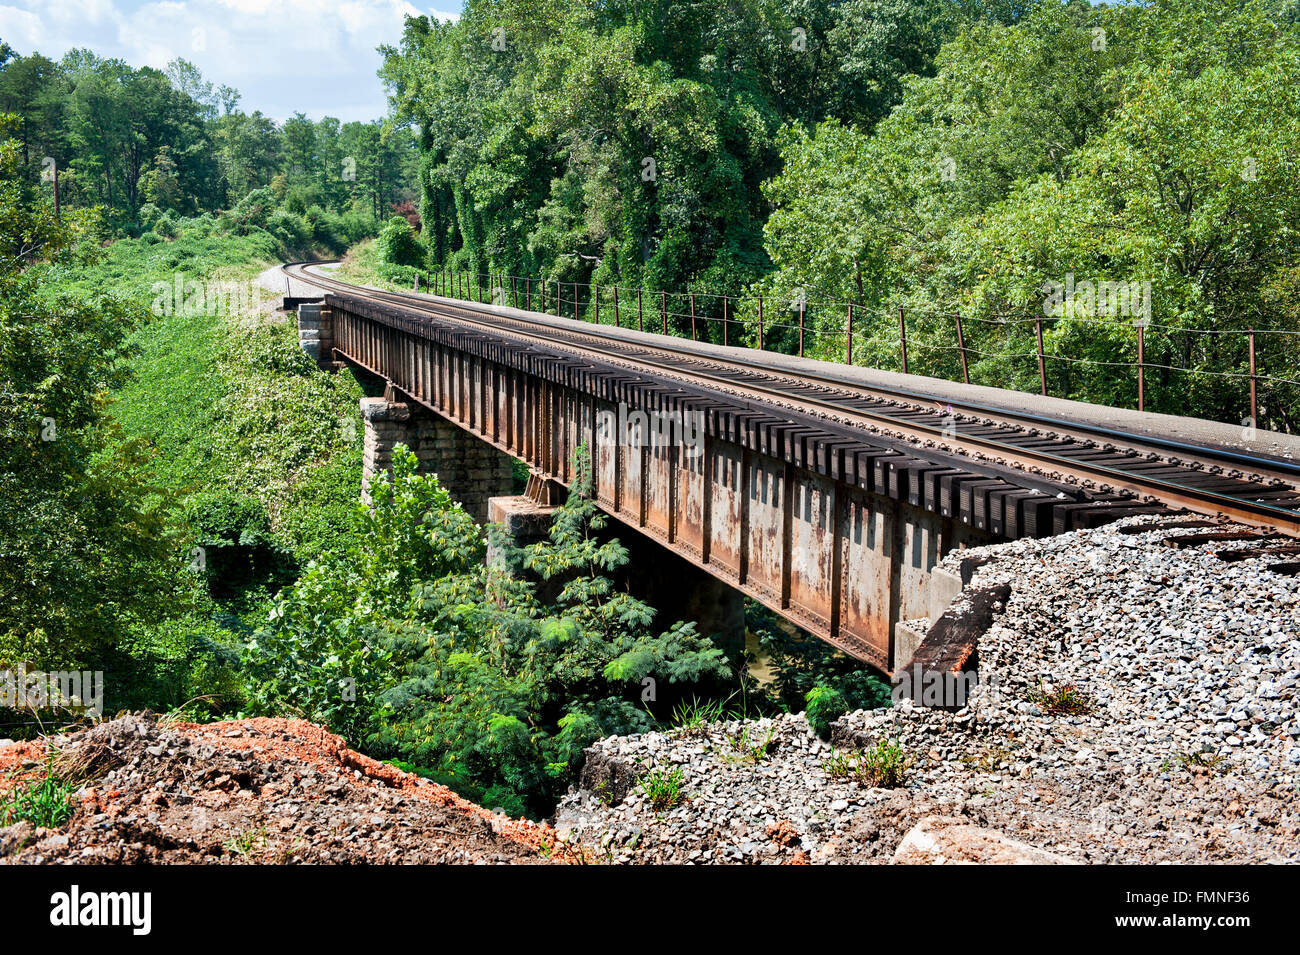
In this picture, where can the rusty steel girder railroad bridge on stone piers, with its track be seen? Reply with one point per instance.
(825, 492)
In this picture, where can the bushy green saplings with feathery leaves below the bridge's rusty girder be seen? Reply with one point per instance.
(457, 666)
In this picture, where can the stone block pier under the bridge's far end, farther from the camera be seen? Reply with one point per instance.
(473, 471)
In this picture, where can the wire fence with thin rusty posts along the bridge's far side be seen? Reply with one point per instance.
(852, 333)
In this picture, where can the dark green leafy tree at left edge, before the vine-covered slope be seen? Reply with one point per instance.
(86, 549)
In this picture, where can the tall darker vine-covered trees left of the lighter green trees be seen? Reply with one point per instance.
(627, 145)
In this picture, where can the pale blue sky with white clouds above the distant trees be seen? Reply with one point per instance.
(317, 57)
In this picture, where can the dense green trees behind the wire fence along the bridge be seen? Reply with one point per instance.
(941, 157)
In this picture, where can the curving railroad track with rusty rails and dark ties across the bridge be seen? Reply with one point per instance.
(1082, 465)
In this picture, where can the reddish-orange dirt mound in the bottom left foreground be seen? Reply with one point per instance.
(252, 792)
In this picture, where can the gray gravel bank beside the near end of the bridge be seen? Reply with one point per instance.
(1190, 753)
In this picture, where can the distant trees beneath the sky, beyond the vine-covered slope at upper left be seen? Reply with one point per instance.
(151, 149)
